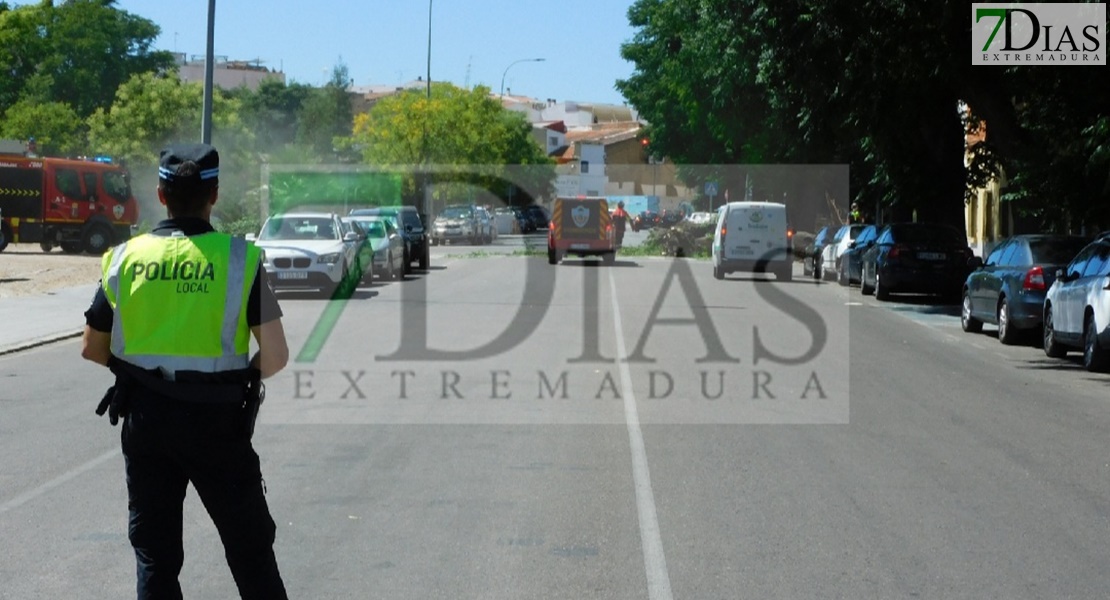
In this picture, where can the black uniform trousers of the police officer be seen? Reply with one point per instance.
(168, 444)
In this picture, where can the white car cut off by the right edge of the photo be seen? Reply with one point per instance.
(1077, 308)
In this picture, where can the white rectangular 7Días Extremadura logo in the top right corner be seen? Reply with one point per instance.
(1038, 34)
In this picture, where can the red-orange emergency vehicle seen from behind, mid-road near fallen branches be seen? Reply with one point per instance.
(582, 227)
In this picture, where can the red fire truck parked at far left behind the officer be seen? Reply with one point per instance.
(82, 206)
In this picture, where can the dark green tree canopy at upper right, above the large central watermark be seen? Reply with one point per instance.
(873, 84)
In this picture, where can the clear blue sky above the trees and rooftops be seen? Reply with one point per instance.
(386, 42)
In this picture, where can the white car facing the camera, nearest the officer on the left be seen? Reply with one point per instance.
(309, 251)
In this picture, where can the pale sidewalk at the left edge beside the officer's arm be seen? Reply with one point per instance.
(33, 321)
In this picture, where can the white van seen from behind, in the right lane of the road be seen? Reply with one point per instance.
(754, 238)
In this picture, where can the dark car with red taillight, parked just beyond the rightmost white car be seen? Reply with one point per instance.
(1008, 290)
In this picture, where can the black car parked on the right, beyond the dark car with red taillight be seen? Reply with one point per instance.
(916, 258)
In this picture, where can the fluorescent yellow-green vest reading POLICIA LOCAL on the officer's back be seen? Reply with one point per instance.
(180, 303)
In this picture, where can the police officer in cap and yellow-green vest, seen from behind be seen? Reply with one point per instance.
(174, 320)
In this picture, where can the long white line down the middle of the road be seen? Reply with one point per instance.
(655, 563)
